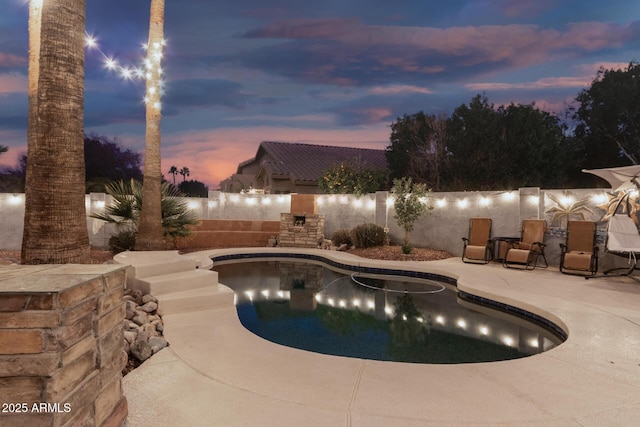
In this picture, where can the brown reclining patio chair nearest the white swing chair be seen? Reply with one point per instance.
(579, 254)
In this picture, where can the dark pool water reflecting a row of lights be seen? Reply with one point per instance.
(310, 306)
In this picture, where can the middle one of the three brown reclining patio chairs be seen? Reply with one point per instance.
(530, 248)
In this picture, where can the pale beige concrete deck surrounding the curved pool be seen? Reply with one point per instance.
(215, 372)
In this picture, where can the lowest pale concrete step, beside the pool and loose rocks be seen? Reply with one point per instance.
(212, 296)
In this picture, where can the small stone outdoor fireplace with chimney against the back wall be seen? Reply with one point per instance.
(302, 227)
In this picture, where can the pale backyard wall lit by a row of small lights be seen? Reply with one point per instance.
(442, 229)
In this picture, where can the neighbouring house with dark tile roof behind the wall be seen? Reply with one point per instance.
(285, 167)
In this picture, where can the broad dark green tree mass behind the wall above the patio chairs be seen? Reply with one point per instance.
(506, 147)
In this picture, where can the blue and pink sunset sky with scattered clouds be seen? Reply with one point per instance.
(335, 72)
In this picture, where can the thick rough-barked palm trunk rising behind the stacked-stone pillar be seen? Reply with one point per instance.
(55, 224)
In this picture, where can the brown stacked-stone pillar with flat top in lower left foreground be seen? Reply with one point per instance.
(61, 345)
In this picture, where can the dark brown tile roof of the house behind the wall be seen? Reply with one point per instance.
(306, 162)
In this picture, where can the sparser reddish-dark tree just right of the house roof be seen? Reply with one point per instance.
(418, 148)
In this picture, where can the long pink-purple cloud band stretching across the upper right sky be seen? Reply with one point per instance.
(516, 44)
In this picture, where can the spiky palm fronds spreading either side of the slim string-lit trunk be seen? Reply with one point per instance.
(124, 212)
